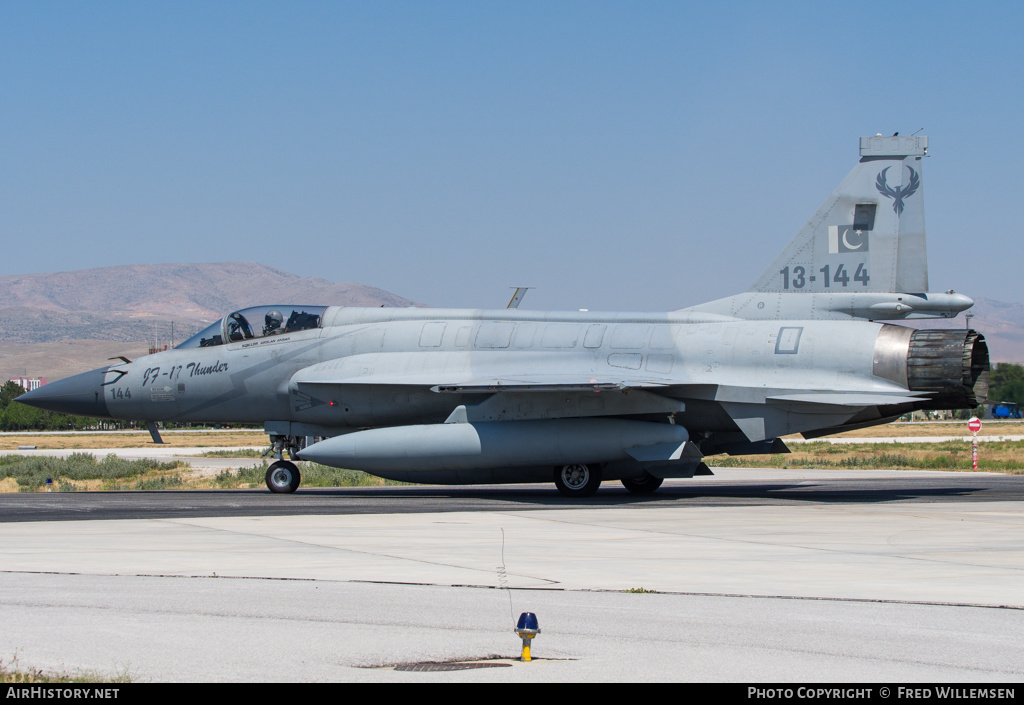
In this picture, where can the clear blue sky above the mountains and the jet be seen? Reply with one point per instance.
(616, 156)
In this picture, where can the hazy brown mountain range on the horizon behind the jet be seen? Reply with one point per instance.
(58, 324)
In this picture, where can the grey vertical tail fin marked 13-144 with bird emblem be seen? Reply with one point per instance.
(869, 236)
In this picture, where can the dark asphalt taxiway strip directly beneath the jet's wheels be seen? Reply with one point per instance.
(731, 487)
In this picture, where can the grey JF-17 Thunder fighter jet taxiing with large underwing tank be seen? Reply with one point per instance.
(465, 397)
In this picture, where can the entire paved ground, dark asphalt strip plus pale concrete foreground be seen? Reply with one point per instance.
(798, 576)
